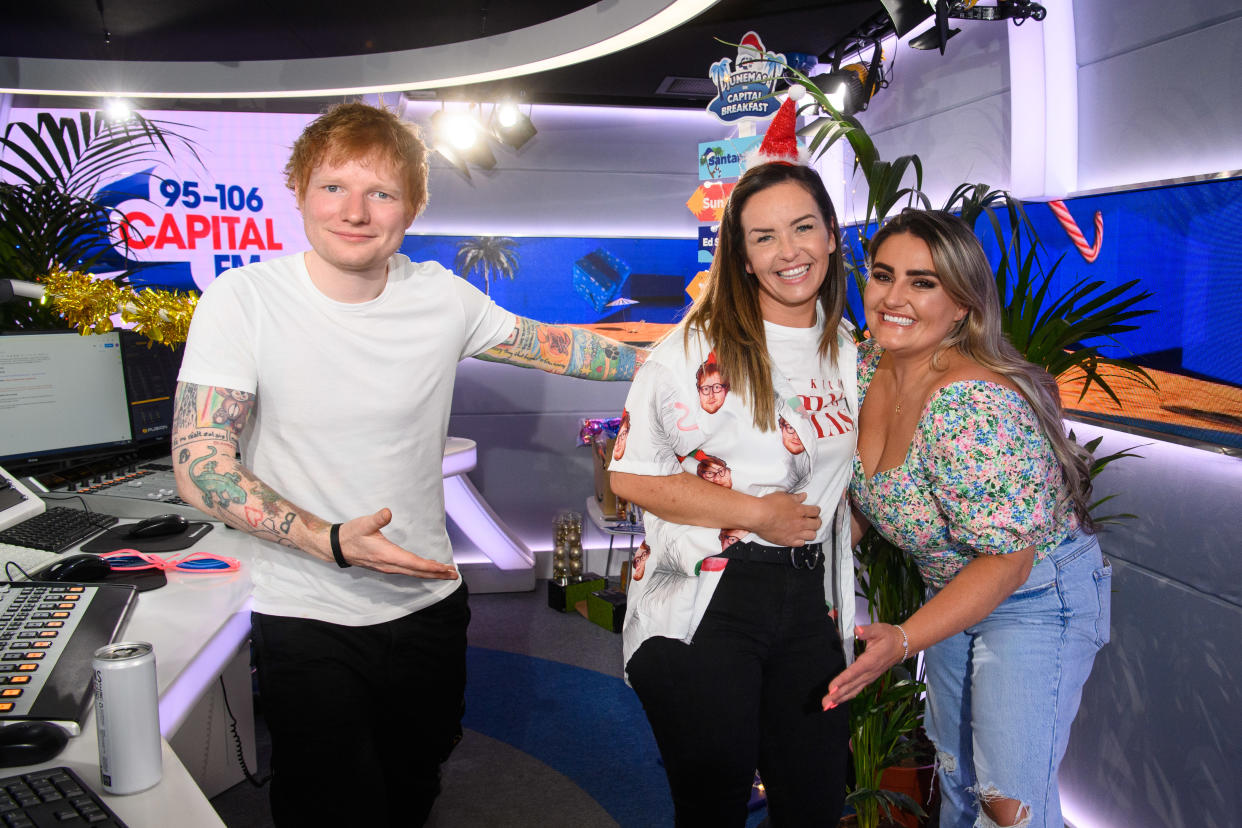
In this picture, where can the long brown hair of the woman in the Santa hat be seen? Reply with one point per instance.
(728, 312)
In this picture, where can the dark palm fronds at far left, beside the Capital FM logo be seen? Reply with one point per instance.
(54, 210)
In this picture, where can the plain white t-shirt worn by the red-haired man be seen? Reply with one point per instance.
(352, 415)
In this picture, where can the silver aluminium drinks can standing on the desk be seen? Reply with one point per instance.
(127, 717)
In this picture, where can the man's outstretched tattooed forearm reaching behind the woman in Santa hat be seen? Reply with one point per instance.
(563, 349)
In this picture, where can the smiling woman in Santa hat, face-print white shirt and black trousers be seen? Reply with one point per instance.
(732, 650)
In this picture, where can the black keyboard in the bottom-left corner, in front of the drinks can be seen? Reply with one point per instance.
(53, 799)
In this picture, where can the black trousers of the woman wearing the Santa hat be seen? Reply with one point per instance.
(745, 696)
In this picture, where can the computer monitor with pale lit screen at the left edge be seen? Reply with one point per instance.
(63, 397)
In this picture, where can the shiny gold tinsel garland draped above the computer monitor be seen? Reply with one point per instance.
(89, 305)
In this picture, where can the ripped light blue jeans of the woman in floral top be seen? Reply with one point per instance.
(1003, 693)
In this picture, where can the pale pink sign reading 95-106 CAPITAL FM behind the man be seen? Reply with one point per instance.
(189, 220)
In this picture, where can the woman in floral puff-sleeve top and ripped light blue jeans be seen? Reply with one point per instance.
(963, 462)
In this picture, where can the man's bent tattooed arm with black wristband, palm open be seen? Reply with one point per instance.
(207, 429)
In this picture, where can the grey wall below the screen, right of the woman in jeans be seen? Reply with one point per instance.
(1157, 739)
